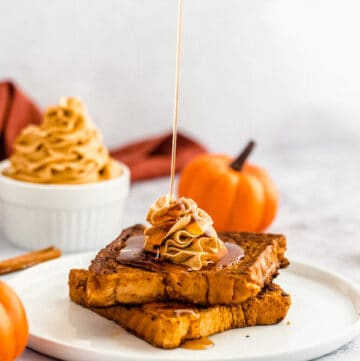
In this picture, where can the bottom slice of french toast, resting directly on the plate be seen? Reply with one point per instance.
(168, 325)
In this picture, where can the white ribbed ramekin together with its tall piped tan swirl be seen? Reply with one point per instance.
(60, 186)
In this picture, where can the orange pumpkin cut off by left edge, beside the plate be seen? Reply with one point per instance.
(13, 324)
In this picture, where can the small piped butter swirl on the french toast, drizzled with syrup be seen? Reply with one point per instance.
(182, 233)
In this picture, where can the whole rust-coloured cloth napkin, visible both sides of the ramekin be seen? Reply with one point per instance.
(146, 159)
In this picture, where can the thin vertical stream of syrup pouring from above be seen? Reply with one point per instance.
(176, 97)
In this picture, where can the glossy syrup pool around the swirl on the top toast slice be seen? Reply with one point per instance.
(134, 255)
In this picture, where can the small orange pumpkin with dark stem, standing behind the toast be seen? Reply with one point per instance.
(238, 196)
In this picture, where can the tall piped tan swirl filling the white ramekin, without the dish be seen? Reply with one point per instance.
(65, 148)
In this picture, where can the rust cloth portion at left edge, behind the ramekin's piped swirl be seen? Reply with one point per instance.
(16, 111)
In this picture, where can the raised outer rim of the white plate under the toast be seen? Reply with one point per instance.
(313, 350)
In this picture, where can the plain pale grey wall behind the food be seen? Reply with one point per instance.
(282, 71)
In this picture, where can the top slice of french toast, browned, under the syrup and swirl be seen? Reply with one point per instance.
(110, 282)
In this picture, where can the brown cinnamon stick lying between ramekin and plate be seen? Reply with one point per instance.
(28, 259)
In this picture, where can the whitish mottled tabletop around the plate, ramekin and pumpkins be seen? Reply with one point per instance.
(319, 213)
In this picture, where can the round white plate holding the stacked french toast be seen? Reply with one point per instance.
(324, 316)
